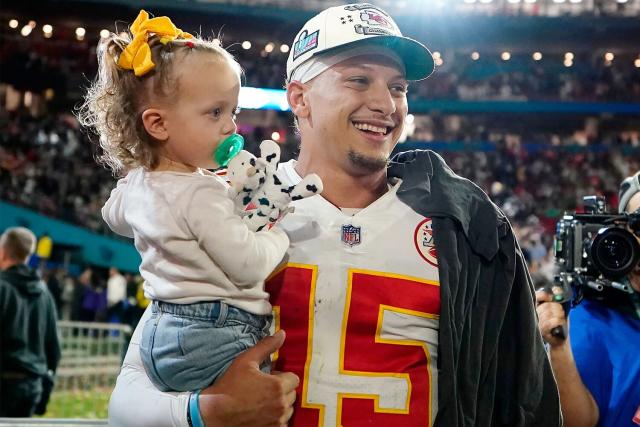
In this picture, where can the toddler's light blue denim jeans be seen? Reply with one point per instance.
(186, 347)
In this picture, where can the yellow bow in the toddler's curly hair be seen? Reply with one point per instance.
(137, 55)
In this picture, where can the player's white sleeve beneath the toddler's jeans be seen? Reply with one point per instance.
(135, 401)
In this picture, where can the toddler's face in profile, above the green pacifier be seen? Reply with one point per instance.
(203, 113)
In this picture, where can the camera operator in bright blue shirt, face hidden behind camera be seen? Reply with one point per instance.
(597, 366)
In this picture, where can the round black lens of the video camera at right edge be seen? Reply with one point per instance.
(615, 252)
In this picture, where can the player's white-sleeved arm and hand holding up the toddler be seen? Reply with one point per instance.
(243, 396)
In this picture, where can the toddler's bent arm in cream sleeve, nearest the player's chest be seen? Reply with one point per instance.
(246, 257)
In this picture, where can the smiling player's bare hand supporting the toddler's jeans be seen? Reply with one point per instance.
(245, 396)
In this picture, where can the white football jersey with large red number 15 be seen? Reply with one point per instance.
(359, 299)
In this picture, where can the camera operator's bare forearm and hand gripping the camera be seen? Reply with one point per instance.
(578, 405)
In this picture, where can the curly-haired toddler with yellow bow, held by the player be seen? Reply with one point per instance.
(162, 103)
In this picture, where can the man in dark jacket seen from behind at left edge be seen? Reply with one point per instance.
(28, 335)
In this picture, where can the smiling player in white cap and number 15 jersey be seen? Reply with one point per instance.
(384, 327)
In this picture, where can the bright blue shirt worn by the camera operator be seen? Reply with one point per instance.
(606, 348)
